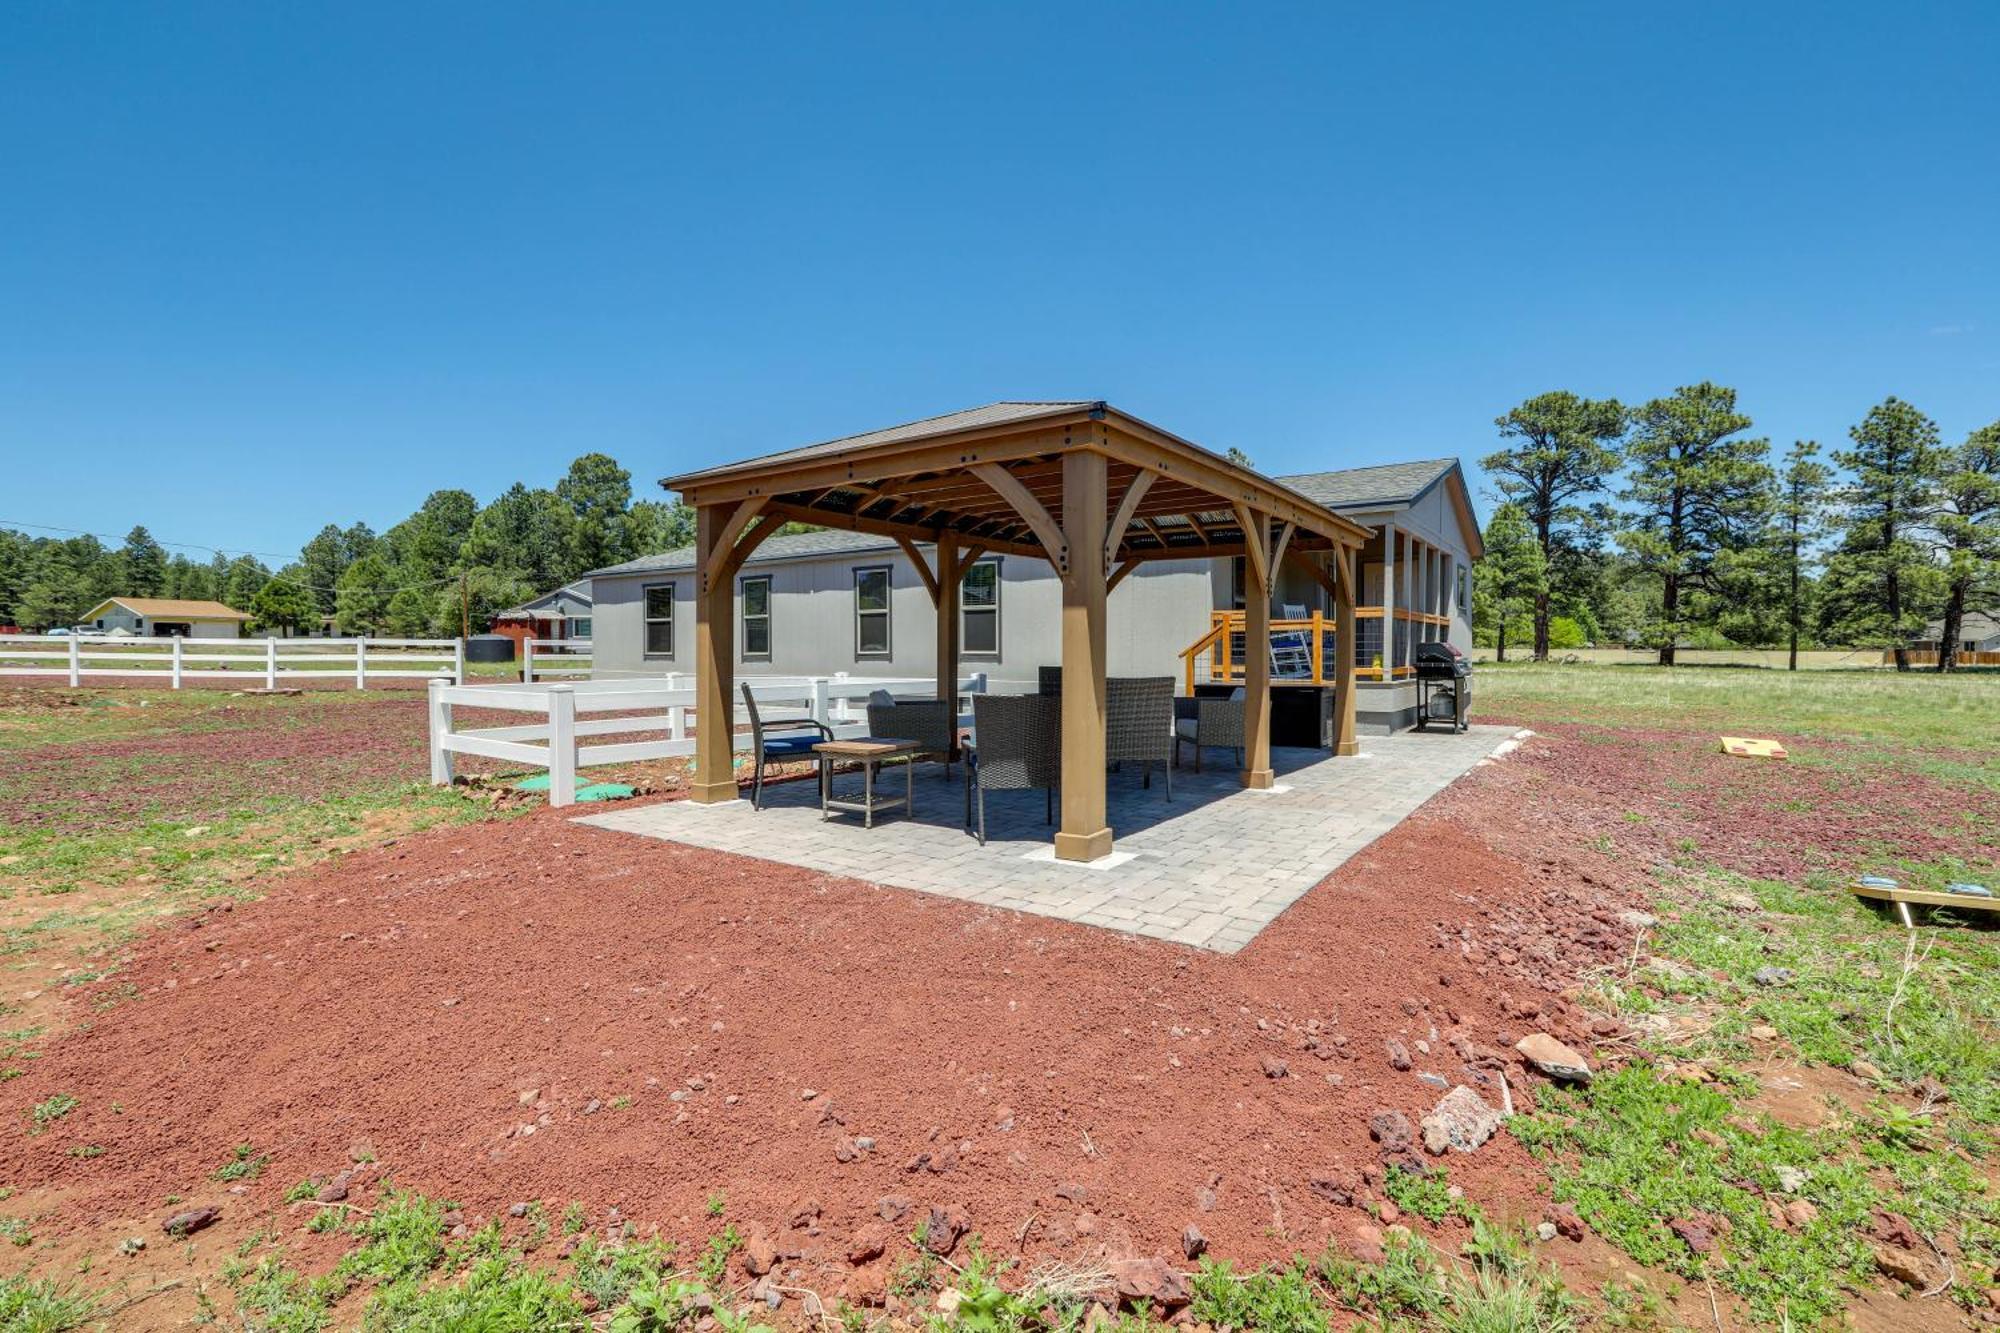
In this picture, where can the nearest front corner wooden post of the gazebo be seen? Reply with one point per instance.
(1085, 834)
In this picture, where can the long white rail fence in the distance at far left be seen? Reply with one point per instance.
(177, 661)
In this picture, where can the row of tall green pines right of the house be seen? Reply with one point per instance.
(1669, 525)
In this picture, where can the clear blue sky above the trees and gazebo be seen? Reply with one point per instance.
(265, 267)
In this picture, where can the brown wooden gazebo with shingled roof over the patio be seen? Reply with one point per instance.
(1083, 485)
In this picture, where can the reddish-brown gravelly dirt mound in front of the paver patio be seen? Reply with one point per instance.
(549, 1012)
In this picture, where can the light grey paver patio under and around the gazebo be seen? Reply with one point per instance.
(1211, 868)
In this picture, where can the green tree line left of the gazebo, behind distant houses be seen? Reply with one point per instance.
(445, 569)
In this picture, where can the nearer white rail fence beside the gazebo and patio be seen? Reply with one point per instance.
(569, 716)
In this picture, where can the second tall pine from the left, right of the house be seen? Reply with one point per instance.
(1699, 499)
